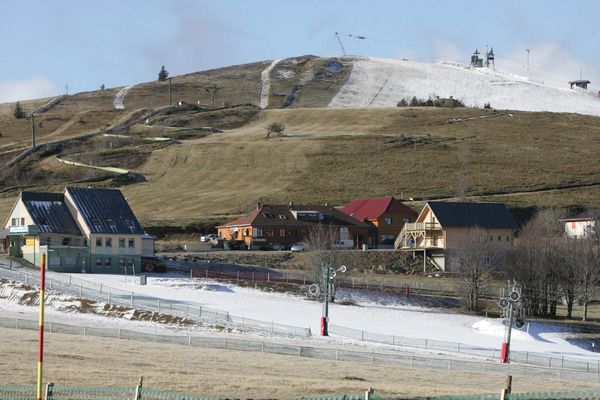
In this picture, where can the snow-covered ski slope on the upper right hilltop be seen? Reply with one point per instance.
(377, 82)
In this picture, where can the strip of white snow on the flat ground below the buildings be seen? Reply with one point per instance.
(373, 312)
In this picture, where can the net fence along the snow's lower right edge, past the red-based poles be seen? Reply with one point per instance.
(523, 357)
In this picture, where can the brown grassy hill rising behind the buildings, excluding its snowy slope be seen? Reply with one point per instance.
(218, 162)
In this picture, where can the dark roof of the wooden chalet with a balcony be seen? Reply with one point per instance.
(483, 215)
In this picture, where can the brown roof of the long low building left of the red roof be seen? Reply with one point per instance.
(291, 215)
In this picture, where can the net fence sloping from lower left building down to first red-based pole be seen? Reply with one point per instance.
(191, 311)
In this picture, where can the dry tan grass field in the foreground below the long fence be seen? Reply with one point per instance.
(86, 361)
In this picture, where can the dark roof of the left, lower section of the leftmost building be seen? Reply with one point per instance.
(49, 212)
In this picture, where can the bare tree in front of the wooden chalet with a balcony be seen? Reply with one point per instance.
(476, 258)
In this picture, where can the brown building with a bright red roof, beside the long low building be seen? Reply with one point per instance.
(386, 216)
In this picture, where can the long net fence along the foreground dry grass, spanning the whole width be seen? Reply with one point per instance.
(323, 353)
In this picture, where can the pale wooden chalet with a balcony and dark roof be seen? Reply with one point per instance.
(443, 229)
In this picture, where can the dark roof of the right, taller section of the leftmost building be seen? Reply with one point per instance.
(105, 211)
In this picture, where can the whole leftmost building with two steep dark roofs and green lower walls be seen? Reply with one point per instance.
(79, 230)
